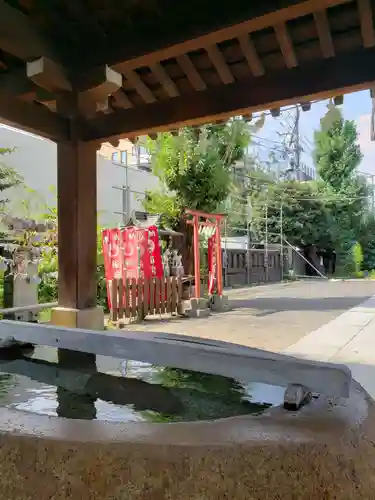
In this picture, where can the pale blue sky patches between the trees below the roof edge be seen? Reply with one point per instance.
(357, 107)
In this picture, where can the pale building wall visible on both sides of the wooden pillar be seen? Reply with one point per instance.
(123, 173)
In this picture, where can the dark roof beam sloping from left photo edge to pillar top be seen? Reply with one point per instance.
(33, 118)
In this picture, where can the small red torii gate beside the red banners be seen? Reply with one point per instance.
(210, 220)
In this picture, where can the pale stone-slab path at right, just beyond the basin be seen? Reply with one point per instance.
(348, 339)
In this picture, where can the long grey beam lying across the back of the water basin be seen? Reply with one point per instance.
(196, 354)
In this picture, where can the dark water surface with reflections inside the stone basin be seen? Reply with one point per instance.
(79, 385)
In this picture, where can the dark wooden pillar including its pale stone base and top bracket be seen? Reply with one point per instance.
(77, 226)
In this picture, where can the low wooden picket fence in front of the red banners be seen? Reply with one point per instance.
(137, 298)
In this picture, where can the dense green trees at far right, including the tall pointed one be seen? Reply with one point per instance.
(332, 213)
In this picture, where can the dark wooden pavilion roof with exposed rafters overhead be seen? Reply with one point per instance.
(141, 66)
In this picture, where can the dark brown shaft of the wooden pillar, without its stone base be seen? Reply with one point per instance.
(77, 225)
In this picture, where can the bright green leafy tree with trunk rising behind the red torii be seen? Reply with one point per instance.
(194, 169)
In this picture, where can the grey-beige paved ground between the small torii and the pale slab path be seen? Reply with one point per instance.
(272, 317)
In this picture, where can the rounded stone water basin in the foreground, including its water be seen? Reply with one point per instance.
(76, 427)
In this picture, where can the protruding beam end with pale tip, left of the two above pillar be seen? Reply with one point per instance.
(48, 75)
